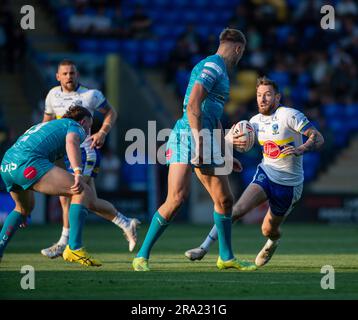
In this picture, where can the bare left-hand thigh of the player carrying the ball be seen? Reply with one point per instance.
(253, 196)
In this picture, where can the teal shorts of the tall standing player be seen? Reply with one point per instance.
(180, 147)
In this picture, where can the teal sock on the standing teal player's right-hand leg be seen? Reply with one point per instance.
(223, 225)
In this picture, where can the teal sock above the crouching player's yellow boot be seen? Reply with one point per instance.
(77, 218)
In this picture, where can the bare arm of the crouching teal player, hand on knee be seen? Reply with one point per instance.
(74, 156)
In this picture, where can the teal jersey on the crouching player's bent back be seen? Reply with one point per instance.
(48, 139)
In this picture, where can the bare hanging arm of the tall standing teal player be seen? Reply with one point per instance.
(197, 96)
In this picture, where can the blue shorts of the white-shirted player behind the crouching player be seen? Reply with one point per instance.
(91, 160)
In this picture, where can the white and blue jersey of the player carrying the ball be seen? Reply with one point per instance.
(284, 127)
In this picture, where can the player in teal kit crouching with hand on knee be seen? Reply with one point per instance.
(28, 166)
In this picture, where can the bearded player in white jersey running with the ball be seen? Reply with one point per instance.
(279, 177)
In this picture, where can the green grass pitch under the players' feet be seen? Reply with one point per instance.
(293, 273)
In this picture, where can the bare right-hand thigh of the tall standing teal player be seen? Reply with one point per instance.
(218, 187)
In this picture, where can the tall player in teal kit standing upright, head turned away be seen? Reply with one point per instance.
(187, 150)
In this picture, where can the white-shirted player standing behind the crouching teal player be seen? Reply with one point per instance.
(58, 100)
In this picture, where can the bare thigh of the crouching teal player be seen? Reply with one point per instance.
(55, 182)
